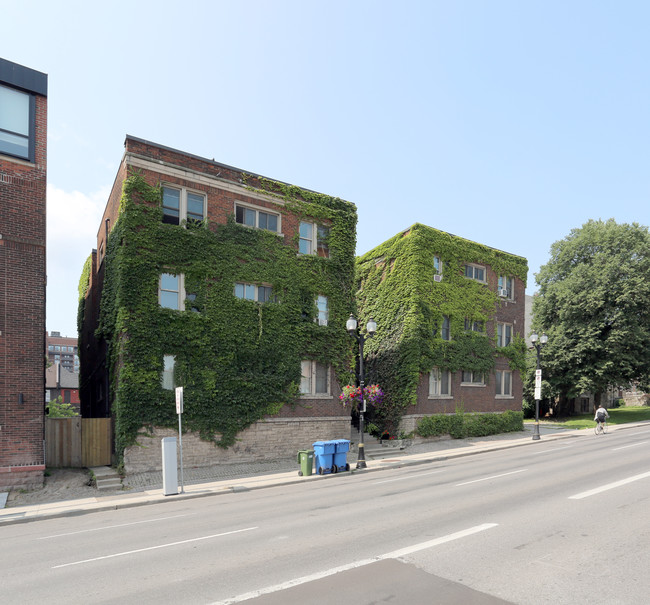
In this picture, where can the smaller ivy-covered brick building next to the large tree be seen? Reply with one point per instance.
(450, 315)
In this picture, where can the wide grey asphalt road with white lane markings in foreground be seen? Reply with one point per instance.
(558, 522)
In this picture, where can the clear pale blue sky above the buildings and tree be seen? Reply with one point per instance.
(506, 122)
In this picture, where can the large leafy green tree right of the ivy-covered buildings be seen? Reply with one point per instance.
(593, 305)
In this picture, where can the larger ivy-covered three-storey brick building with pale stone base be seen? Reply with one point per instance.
(232, 285)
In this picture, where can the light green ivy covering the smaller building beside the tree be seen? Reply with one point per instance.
(396, 287)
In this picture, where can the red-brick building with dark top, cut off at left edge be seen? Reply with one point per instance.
(23, 160)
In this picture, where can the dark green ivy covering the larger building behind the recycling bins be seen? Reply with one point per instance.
(238, 360)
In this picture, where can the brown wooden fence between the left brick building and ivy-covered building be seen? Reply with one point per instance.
(78, 442)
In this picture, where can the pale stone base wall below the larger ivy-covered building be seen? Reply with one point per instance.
(265, 440)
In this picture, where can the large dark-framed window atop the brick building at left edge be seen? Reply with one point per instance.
(17, 123)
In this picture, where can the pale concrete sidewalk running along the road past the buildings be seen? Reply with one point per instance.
(226, 479)
